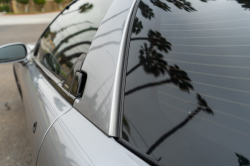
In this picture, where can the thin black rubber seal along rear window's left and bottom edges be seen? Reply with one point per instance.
(119, 139)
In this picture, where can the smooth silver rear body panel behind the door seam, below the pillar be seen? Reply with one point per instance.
(73, 140)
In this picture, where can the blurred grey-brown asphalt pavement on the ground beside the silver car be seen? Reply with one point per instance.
(15, 149)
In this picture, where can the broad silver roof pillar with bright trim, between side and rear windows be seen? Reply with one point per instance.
(103, 64)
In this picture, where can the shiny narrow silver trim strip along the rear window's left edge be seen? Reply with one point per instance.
(115, 107)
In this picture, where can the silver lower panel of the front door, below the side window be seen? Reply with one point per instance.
(43, 104)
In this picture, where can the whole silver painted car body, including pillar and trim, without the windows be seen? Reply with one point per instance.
(82, 133)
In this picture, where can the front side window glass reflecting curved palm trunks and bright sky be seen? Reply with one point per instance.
(70, 35)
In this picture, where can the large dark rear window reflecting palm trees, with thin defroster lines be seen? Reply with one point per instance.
(187, 94)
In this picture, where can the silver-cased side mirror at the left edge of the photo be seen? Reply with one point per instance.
(13, 53)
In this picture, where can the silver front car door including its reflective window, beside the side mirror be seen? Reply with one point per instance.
(45, 81)
